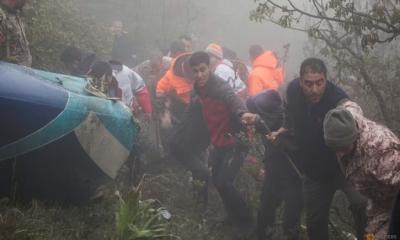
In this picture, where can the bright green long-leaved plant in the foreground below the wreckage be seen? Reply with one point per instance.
(141, 220)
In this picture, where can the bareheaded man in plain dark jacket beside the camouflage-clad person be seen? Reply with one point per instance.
(308, 100)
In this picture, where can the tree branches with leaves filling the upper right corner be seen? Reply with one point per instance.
(359, 40)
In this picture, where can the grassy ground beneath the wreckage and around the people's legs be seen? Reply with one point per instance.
(168, 186)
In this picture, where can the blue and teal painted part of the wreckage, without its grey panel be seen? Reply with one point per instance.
(36, 113)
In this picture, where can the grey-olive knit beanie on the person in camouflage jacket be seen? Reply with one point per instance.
(340, 128)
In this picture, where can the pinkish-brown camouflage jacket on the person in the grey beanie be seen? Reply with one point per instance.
(374, 168)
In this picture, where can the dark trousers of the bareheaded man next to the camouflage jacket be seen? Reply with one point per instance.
(318, 197)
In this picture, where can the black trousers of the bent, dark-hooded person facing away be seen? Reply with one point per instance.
(281, 185)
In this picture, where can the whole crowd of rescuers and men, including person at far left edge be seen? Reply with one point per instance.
(316, 142)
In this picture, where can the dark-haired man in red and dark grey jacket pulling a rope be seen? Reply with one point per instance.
(222, 111)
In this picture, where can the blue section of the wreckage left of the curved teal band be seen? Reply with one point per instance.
(26, 103)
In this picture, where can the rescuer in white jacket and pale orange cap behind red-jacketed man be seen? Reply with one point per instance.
(223, 68)
